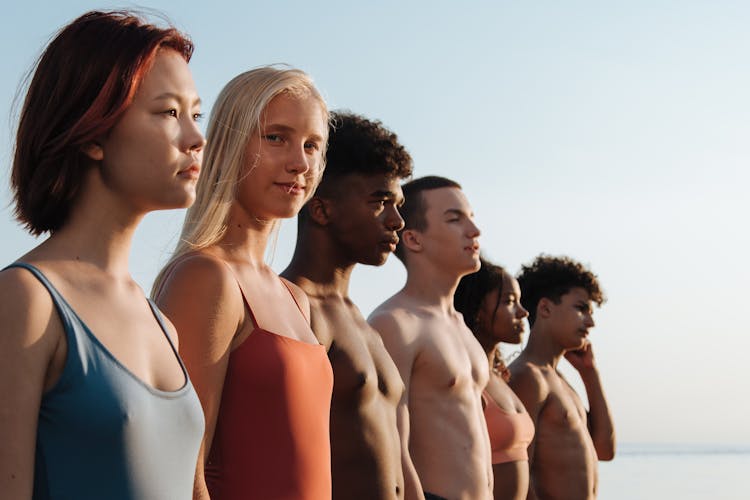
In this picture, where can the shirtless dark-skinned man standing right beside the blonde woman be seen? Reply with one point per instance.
(353, 218)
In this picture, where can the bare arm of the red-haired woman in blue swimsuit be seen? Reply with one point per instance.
(29, 338)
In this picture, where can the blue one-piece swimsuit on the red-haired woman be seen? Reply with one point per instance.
(105, 434)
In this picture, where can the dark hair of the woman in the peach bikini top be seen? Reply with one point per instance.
(473, 288)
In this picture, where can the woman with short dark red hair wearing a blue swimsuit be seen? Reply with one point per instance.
(96, 402)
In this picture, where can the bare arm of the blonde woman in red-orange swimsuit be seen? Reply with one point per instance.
(202, 299)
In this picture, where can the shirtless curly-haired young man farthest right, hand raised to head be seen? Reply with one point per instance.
(558, 293)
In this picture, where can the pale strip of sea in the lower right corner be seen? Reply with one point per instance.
(679, 472)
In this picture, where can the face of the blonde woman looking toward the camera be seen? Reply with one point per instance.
(283, 160)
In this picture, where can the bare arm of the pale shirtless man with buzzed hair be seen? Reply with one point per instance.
(403, 357)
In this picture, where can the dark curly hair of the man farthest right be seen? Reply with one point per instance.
(552, 277)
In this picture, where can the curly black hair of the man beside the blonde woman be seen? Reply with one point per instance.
(357, 145)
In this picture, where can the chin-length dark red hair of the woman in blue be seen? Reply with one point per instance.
(81, 86)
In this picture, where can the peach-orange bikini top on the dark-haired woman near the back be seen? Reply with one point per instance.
(510, 433)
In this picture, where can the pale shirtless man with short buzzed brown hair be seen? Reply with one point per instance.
(443, 366)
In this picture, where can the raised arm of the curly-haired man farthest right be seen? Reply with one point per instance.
(600, 423)
